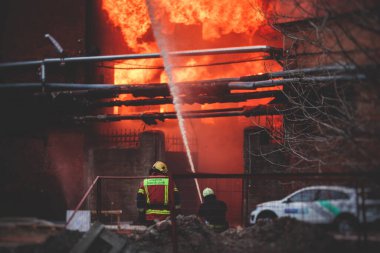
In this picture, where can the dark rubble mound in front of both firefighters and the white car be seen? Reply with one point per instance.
(282, 235)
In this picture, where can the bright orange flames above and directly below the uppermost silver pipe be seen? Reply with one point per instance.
(213, 20)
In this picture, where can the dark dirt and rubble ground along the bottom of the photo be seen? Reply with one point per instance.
(283, 235)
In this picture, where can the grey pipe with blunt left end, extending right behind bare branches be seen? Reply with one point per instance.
(271, 83)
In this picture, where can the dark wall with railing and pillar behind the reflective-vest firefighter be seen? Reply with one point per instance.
(121, 161)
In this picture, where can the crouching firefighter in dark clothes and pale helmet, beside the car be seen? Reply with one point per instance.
(213, 211)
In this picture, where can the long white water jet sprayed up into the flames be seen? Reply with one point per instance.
(173, 89)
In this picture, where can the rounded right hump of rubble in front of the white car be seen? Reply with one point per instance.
(282, 235)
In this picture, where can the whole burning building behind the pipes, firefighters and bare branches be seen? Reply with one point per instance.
(202, 85)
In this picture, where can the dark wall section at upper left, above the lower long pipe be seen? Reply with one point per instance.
(24, 24)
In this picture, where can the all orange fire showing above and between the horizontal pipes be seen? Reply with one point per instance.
(187, 25)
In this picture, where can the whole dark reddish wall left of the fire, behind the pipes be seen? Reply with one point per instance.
(41, 164)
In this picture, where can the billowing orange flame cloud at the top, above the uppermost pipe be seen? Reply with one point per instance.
(216, 17)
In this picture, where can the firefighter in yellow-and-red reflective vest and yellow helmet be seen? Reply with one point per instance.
(154, 198)
